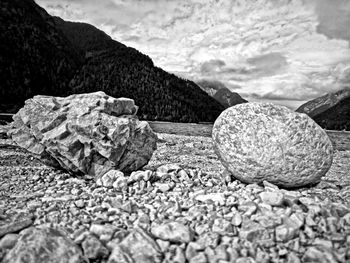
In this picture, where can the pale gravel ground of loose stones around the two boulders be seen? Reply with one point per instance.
(183, 208)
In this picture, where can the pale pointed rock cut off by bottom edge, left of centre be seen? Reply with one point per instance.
(138, 246)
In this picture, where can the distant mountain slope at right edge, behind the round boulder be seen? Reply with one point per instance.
(331, 111)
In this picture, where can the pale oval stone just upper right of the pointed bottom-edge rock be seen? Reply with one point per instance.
(173, 231)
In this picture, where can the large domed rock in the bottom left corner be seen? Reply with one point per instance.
(39, 245)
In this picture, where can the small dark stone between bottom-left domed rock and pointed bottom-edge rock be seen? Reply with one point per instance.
(93, 248)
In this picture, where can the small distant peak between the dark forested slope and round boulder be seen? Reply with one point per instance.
(221, 93)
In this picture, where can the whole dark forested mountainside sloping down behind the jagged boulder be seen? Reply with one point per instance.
(55, 57)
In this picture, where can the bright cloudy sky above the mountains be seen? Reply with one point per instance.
(281, 51)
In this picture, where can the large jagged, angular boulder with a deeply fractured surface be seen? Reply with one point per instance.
(85, 133)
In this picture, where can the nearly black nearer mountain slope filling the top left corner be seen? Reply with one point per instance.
(34, 55)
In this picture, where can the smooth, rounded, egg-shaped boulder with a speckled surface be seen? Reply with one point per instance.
(263, 141)
